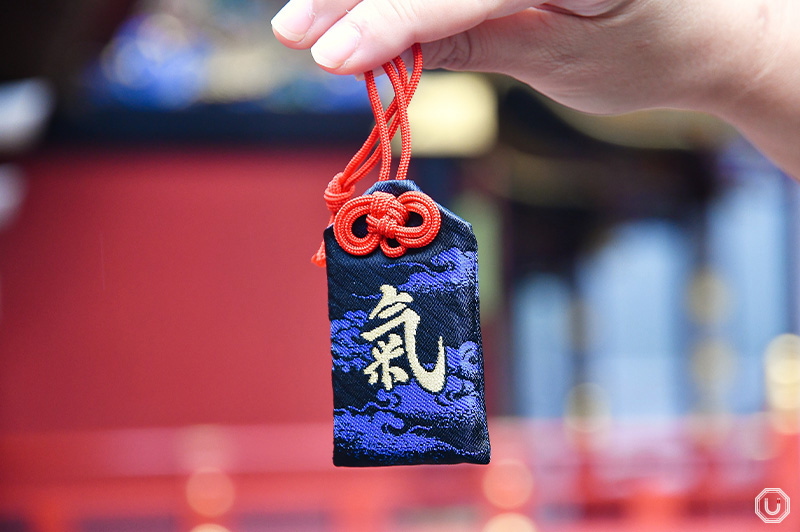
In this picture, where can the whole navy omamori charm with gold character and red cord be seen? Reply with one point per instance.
(403, 305)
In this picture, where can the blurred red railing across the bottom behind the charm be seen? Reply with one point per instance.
(281, 478)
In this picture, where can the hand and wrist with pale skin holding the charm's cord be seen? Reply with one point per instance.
(737, 59)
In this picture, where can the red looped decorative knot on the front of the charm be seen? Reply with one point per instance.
(386, 218)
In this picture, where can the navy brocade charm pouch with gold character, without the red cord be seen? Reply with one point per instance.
(398, 419)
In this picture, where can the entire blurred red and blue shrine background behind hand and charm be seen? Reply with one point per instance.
(164, 348)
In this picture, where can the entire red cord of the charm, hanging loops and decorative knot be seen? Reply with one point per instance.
(385, 216)
